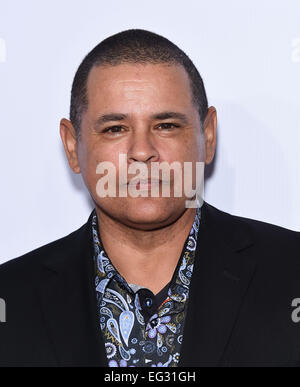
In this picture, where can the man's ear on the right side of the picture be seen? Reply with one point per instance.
(210, 132)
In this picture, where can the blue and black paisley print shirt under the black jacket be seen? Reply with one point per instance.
(136, 331)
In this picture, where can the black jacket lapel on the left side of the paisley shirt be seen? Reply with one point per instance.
(69, 302)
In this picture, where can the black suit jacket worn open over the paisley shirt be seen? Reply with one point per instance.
(245, 277)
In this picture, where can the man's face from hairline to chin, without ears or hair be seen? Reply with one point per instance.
(126, 114)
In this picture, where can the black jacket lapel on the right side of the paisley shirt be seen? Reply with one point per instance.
(222, 273)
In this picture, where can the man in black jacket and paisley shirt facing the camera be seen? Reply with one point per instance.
(147, 281)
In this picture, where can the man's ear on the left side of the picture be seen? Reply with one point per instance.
(69, 139)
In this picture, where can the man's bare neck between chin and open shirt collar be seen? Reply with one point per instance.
(145, 258)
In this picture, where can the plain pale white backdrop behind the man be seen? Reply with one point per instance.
(248, 53)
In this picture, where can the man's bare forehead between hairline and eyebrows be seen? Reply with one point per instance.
(142, 85)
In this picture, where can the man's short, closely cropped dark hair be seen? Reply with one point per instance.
(133, 46)
